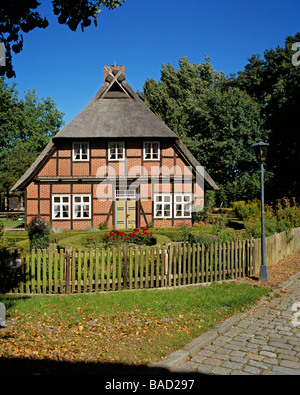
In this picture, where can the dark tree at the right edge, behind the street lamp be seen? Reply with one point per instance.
(274, 82)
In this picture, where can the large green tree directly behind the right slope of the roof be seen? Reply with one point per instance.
(218, 122)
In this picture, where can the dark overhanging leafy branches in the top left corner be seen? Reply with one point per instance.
(17, 17)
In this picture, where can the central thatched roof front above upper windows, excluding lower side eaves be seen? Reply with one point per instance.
(116, 111)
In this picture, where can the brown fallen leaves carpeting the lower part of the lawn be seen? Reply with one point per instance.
(102, 338)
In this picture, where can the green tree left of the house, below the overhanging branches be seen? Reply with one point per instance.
(26, 126)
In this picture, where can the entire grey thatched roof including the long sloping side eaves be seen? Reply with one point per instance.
(115, 112)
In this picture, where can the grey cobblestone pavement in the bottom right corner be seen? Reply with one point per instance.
(263, 341)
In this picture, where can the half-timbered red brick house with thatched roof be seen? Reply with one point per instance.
(115, 163)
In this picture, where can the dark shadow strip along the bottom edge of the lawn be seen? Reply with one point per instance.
(23, 366)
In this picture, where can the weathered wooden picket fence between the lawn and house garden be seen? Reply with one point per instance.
(111, 269)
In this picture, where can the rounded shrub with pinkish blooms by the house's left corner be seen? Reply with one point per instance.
(39, 233)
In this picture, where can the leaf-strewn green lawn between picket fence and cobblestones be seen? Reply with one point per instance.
(132, 327)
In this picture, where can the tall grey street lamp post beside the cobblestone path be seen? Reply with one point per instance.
(261, 155)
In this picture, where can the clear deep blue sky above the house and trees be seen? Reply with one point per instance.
(143, 35)
